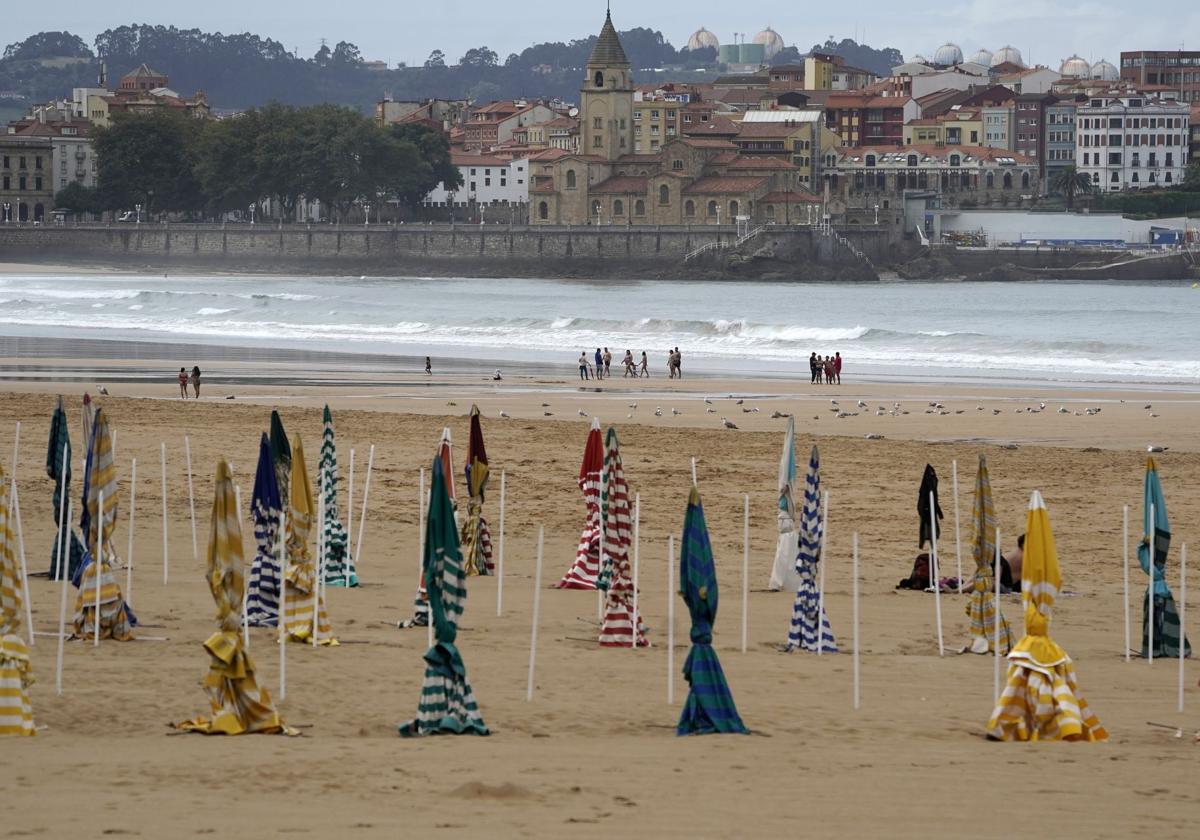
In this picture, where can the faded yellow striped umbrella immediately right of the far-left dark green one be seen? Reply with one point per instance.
(116, 619)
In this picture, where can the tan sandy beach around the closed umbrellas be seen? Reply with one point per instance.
(596, 753)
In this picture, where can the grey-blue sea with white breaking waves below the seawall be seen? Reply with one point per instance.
(1111, 333)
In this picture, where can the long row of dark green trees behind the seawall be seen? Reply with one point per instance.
(173, 164)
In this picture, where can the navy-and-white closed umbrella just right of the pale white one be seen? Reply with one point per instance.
(809, 621)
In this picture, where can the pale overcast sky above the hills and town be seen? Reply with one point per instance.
(406, 31)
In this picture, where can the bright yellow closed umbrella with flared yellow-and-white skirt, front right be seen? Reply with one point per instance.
(1042, 700)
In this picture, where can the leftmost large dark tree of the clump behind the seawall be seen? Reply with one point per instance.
(149, 159)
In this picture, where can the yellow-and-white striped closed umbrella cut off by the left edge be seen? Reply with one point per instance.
(16, 676)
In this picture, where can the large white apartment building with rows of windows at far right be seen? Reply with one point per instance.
(1132, 142)
